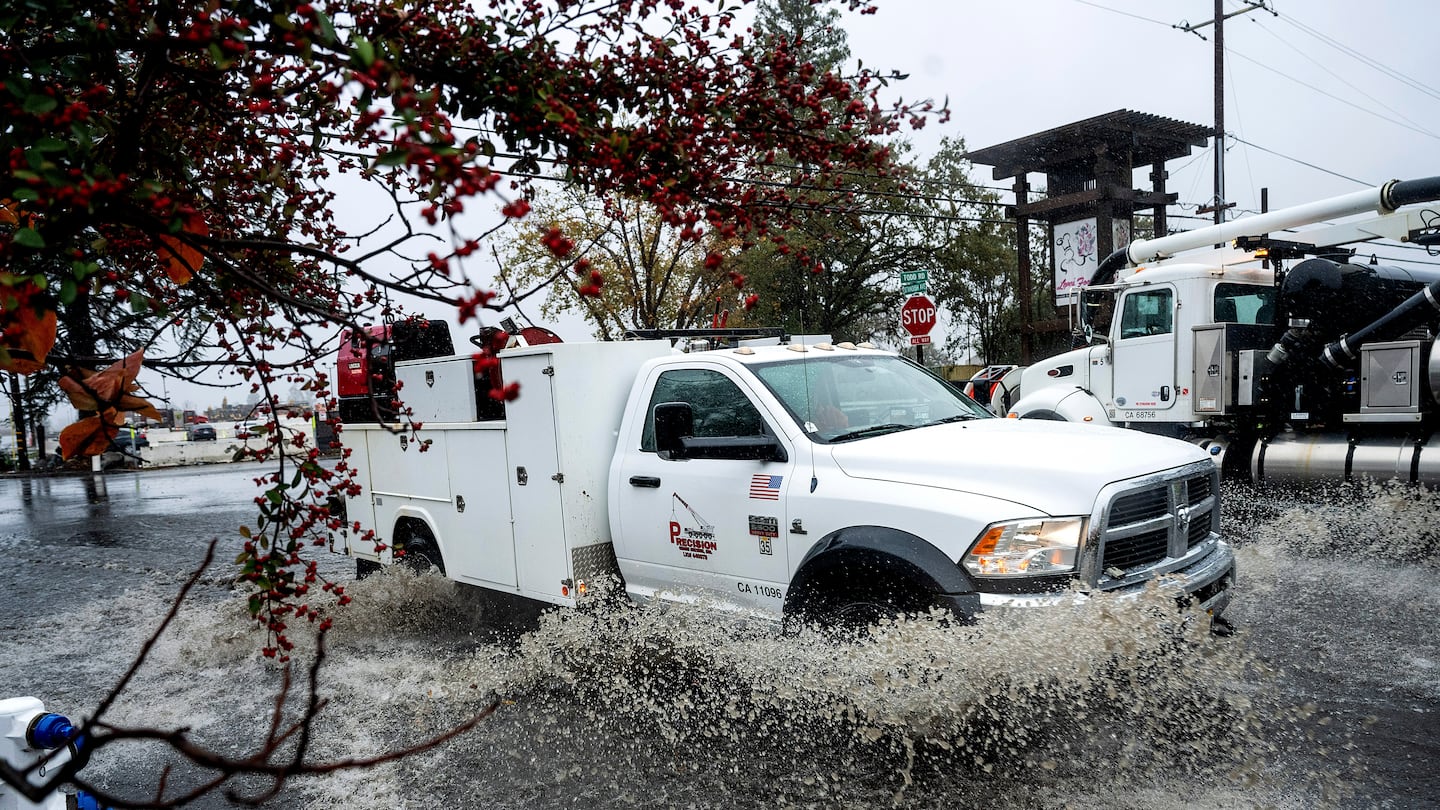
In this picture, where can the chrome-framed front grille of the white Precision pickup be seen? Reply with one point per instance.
(1153, 525)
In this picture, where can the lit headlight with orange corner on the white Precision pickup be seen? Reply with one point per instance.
(1027, 548)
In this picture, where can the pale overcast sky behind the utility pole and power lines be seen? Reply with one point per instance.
(1334, 96)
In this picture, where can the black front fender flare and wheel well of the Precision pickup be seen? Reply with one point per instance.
(863, 556)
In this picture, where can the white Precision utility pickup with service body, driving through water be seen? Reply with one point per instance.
(829, 482)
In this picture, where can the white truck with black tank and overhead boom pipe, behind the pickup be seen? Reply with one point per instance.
(1291, 361)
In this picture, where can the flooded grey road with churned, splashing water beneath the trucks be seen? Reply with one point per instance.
(1330, 695)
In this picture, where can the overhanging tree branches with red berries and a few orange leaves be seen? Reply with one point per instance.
(182, 179)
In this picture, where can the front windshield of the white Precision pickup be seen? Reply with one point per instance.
(839, 399)
